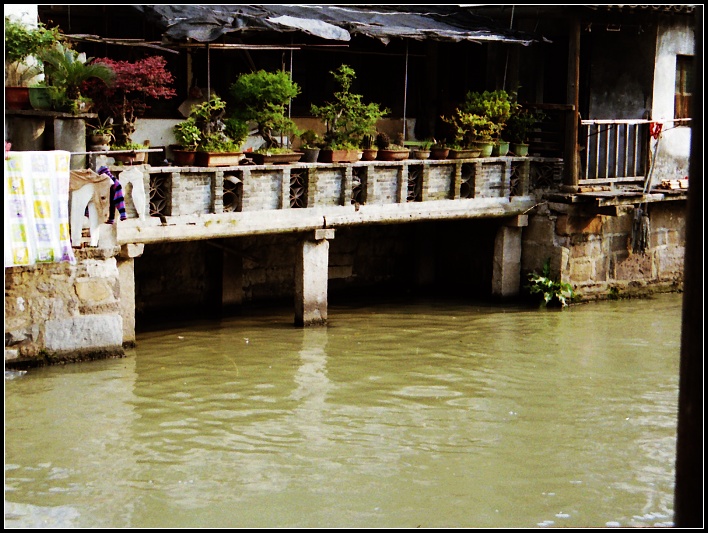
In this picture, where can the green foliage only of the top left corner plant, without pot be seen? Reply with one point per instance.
(23, 42)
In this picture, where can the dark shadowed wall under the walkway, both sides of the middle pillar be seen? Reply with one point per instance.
(184, 279)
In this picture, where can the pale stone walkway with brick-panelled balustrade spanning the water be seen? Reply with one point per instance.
(194, 203)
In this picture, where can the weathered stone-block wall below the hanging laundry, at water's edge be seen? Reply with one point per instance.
(58, 311)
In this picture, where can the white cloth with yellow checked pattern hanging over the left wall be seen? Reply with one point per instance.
(37, 208)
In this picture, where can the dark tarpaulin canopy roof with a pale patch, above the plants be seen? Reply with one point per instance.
(332, 22)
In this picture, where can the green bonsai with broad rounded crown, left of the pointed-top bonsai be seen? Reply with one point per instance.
(262, 97)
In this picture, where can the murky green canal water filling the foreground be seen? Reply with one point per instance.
(417, 414)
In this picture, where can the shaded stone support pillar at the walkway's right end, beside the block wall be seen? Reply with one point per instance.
(506, 268)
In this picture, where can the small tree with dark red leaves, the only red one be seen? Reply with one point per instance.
(136, 84)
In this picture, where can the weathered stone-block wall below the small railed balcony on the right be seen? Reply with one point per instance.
(595, 253)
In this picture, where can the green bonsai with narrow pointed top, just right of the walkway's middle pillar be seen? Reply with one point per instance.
(347, 118)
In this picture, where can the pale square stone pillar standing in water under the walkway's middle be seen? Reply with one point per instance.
(311, 269)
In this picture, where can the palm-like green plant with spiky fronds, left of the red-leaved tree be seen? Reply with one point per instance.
(66, 70)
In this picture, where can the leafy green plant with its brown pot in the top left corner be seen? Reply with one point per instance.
(23, 44)
